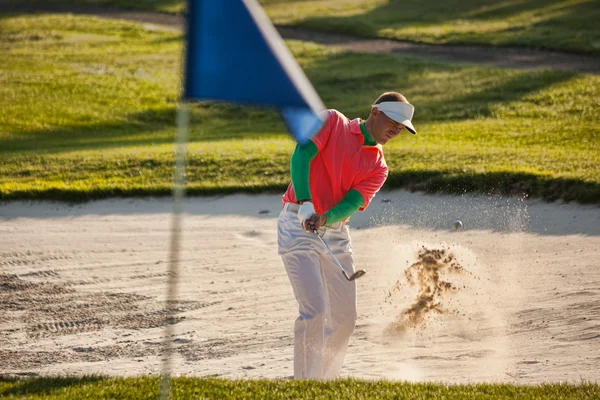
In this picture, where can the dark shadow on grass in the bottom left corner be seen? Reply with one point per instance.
(43, 386)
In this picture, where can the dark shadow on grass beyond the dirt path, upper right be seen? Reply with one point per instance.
(559, 22)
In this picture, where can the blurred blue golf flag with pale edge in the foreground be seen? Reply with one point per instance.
(235, 54)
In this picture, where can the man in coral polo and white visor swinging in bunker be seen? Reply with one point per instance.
(334, 175)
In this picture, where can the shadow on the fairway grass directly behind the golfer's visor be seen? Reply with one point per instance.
(353, 88)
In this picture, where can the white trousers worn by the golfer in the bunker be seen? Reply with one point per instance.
(326, 300)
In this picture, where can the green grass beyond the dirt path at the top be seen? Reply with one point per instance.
(566, 25)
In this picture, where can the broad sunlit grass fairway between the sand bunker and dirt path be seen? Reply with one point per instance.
(88, 111)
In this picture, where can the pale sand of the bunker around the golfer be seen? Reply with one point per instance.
(512, 297)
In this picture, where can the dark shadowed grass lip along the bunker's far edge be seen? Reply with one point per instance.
(504, 183)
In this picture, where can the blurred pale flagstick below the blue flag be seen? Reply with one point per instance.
(183, 120)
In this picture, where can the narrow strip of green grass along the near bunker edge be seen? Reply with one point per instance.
(209, 388)
